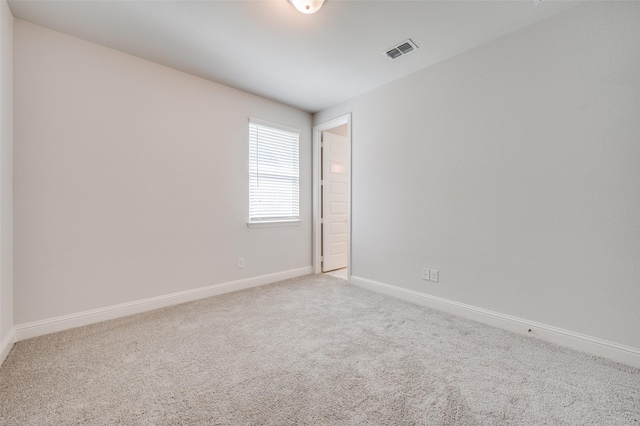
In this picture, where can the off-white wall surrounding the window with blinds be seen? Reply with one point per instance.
(131, 180)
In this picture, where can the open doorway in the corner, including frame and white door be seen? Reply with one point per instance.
(332, 197)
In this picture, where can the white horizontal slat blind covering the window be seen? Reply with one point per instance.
(274, 177)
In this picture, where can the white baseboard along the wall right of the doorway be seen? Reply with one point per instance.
(580, 342)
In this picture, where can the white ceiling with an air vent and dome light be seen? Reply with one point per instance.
(268, 48)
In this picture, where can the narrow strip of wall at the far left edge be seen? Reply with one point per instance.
(6, 173)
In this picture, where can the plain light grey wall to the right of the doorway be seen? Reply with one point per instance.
(513, 169)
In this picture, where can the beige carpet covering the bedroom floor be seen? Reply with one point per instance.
(308, 351)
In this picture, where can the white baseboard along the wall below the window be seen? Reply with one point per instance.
(65, 322)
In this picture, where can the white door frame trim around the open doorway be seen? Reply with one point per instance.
(317, 205)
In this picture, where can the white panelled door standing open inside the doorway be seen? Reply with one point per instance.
(334, 201)
